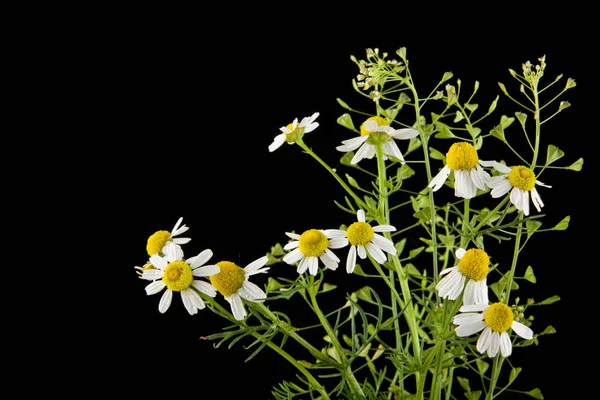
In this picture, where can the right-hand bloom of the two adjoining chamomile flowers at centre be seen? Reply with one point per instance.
(364, 239)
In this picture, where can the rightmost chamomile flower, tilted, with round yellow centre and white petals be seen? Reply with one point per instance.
(520, 181)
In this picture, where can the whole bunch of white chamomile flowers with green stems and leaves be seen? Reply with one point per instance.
(433, 233)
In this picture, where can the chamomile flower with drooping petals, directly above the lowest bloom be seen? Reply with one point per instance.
(473, 267)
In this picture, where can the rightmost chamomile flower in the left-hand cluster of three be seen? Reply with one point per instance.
(232, 282)
